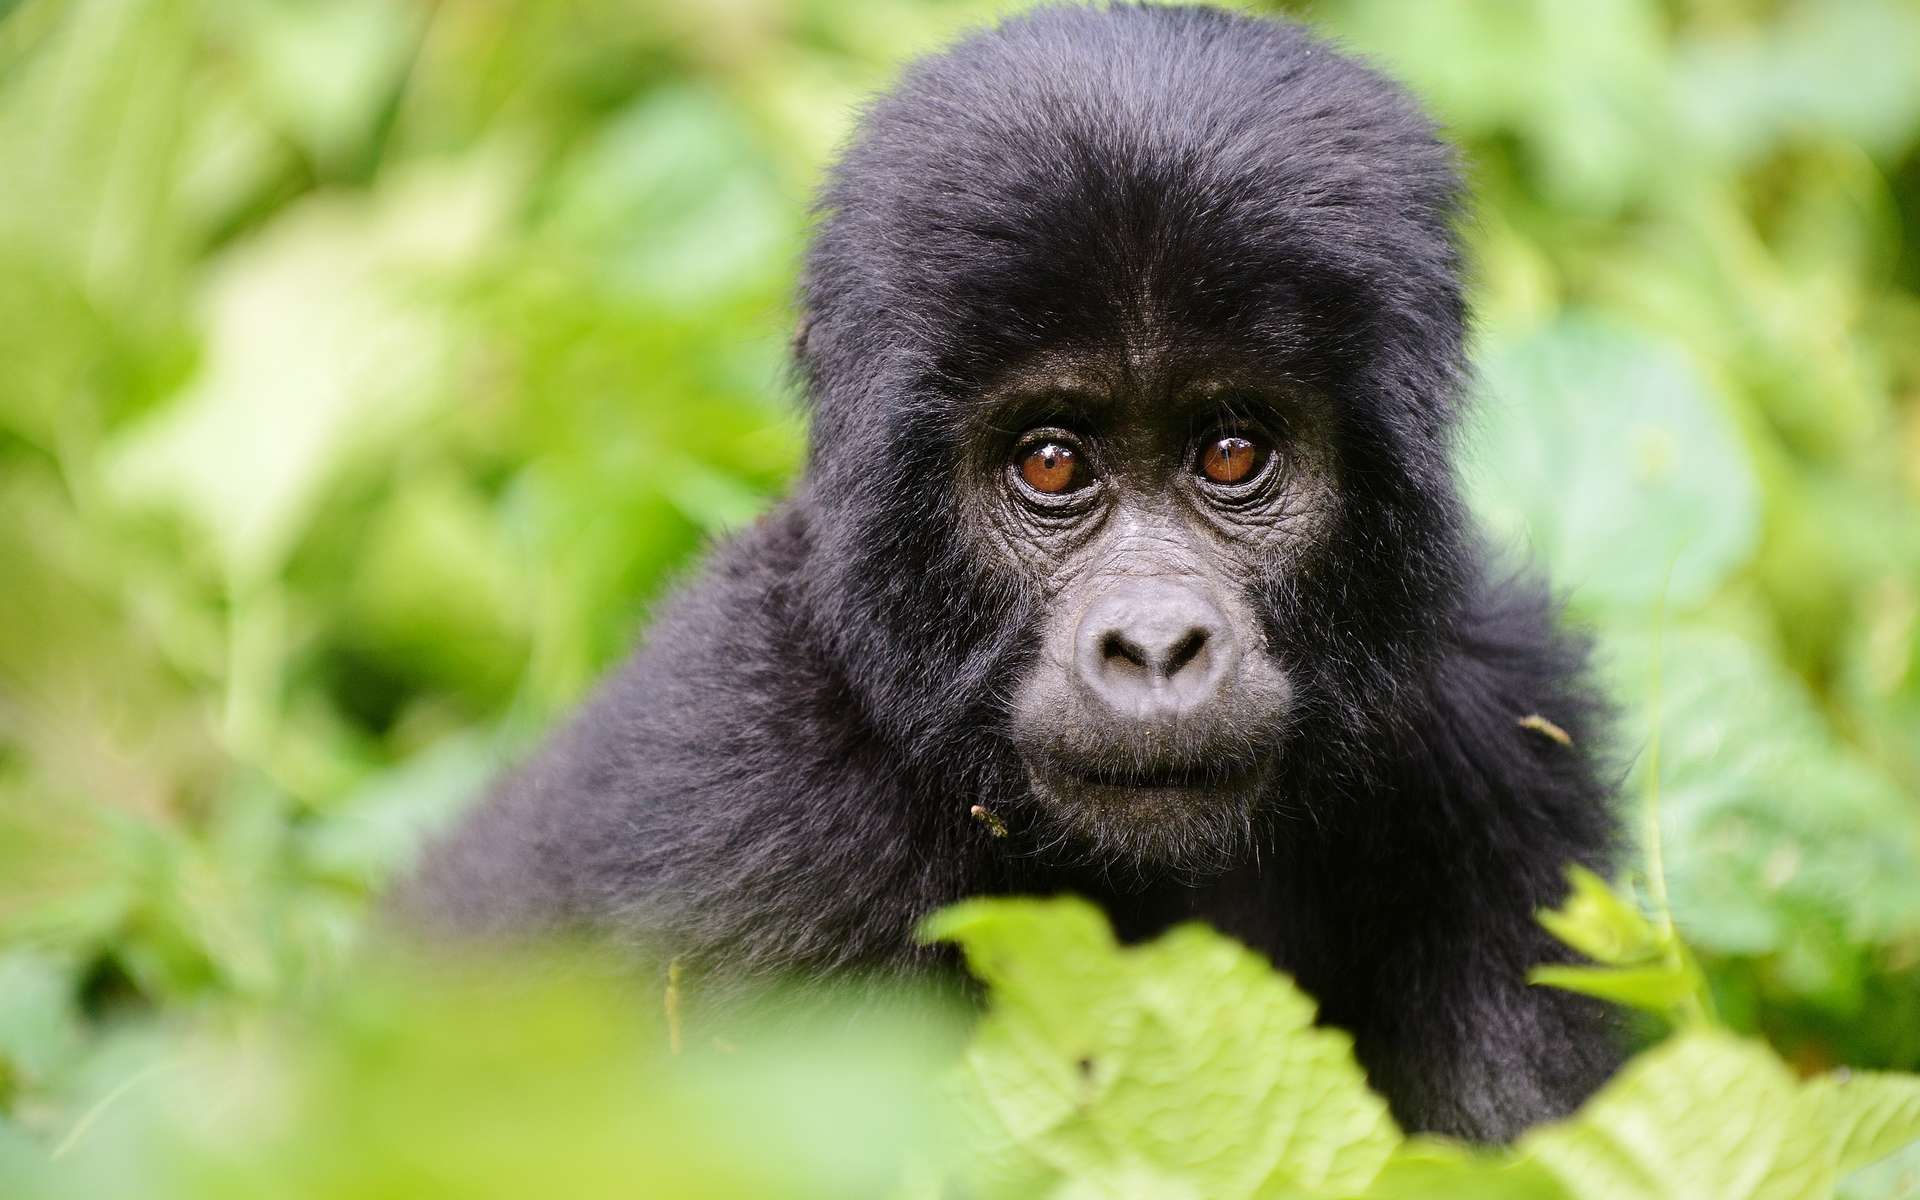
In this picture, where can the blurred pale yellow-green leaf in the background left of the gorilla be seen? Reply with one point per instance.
(318, 347)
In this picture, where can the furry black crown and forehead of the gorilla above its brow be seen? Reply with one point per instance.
(1132, 176)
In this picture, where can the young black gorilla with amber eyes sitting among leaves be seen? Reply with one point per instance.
(1128, 562)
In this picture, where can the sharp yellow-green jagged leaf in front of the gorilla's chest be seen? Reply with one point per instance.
(1180, 1063)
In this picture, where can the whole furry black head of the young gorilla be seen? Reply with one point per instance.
(1132, 389)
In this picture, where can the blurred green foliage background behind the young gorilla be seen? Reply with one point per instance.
(370, 368)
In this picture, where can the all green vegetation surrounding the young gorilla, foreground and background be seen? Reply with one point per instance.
(370, 366)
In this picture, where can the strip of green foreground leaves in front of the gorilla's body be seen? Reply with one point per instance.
(1180, 1068)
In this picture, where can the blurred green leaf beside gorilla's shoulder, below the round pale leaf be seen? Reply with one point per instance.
(1777, 838)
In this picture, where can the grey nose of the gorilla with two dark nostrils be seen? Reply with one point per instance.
(1153, 650)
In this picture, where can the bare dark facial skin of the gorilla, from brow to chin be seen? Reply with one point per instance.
(1143, 496)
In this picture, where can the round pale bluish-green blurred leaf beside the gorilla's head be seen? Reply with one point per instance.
(1610, 456)
